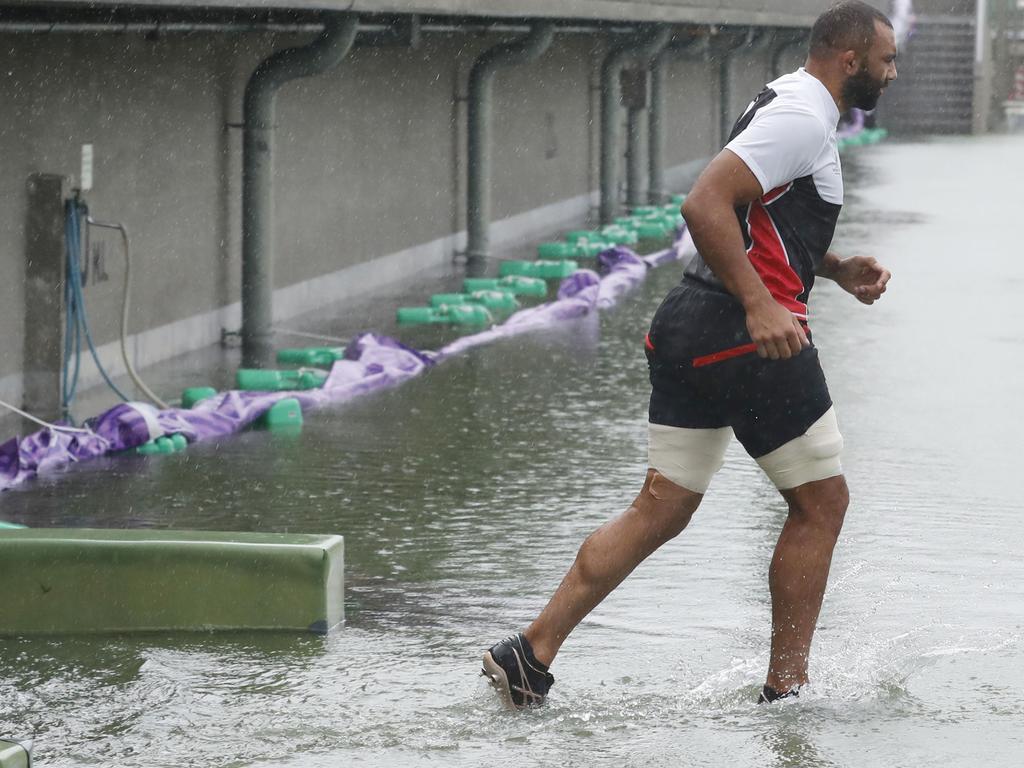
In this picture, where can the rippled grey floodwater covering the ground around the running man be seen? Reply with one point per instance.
(464, 494)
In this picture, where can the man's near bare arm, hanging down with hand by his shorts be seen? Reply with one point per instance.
(711, 218)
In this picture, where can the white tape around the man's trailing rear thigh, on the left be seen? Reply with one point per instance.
(688, 457)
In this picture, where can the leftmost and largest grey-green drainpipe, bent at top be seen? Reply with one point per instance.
(258, 174)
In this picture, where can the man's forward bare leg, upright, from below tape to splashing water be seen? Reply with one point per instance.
(799, 573)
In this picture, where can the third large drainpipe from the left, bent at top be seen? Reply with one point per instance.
(611, 68)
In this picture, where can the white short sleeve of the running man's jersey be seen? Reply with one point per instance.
(781, 146)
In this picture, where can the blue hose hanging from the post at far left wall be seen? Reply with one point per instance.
(77, 324)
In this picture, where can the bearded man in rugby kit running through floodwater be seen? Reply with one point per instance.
(731, 353)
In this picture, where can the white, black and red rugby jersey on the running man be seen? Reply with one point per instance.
(787, 138)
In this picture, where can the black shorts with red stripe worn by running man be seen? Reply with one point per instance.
(706, 374)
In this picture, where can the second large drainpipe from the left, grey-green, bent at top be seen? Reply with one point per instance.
(482, 79)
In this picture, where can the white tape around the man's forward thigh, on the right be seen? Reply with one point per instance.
(814, 456)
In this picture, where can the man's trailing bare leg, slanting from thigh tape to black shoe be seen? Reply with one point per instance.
(661, 513)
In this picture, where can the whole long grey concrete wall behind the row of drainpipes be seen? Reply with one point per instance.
(370, 166)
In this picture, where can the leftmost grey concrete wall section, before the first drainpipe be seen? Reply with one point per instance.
(154, 112)
